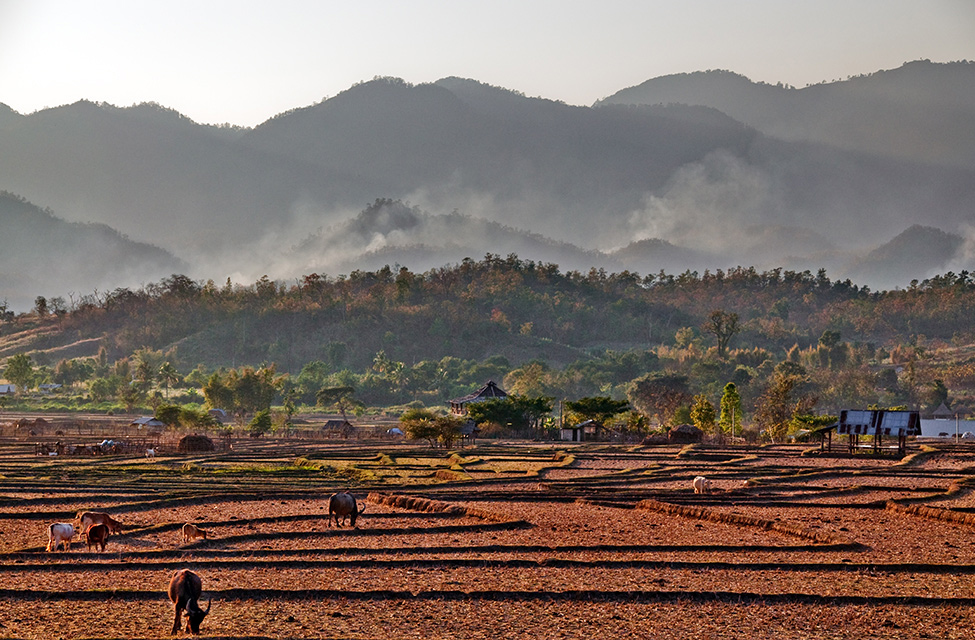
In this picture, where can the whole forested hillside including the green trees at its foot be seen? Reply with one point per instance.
(396, 336)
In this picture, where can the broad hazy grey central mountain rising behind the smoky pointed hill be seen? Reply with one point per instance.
(554, 169)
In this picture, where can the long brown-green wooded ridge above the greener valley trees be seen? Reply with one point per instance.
(496, 306)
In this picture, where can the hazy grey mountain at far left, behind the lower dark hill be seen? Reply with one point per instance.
(148, 172)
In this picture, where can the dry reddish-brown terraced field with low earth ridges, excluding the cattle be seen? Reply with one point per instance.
(498, 540)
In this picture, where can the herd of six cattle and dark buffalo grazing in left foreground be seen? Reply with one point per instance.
(185, 586)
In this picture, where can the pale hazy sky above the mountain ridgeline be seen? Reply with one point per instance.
(244, 61)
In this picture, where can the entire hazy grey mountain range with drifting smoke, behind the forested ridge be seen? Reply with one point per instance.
(871, 177)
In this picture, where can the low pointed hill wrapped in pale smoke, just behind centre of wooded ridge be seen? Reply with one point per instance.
(389, 232)
